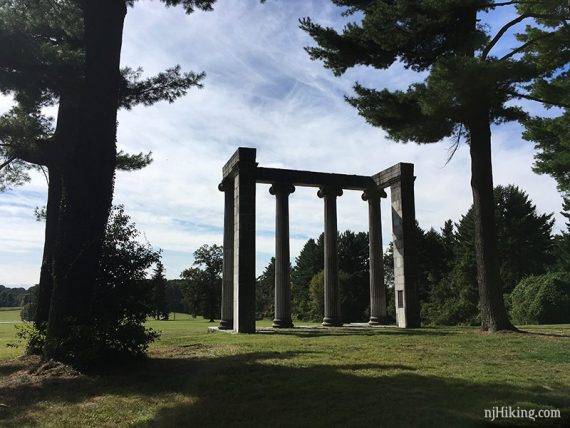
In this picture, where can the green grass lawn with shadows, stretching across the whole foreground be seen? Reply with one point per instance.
(381, 377)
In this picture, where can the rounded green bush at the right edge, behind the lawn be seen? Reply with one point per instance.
(542, 299)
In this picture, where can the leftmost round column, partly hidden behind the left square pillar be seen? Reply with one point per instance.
(227, 321)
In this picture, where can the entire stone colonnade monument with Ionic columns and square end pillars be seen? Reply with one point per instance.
(240, 176)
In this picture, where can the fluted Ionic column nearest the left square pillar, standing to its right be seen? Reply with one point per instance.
(282, 257)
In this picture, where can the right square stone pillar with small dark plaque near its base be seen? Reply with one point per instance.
(405, 251)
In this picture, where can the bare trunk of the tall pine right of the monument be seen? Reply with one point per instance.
(493, 314)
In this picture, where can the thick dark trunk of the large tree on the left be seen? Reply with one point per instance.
(87, 175)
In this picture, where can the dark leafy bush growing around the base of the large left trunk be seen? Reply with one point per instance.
(123, 301)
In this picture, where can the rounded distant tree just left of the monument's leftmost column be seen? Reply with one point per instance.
(203, 289)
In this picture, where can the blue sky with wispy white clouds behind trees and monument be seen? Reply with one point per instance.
(261, 90)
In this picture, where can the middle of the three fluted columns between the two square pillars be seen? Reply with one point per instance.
(332, 296)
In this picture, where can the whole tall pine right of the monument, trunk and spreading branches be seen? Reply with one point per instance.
(467, 87)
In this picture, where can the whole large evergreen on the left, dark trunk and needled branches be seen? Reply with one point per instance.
(68, 52)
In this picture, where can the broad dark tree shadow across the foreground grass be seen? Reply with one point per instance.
(275, 389)
